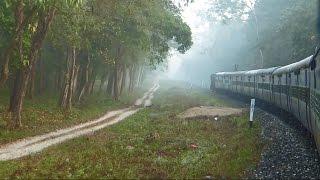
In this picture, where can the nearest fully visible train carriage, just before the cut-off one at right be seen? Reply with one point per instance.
(293, 93)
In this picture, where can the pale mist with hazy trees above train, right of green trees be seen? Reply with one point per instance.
(259, 34)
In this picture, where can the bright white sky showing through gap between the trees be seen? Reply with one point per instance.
(201, 26)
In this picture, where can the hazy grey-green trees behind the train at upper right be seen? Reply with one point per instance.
(282, 32)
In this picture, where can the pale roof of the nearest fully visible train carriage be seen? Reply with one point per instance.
(294, 66)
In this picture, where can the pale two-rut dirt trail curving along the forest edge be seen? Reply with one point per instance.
(35, 144)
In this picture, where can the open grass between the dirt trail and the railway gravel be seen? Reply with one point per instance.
(153, 143)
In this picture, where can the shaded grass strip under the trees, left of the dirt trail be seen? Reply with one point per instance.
(42, 114)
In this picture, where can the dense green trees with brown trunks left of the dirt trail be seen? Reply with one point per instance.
(66, 46)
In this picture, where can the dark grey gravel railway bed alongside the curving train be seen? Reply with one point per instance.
(290, 153)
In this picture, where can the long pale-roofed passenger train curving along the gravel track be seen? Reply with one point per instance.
(295, 88)
